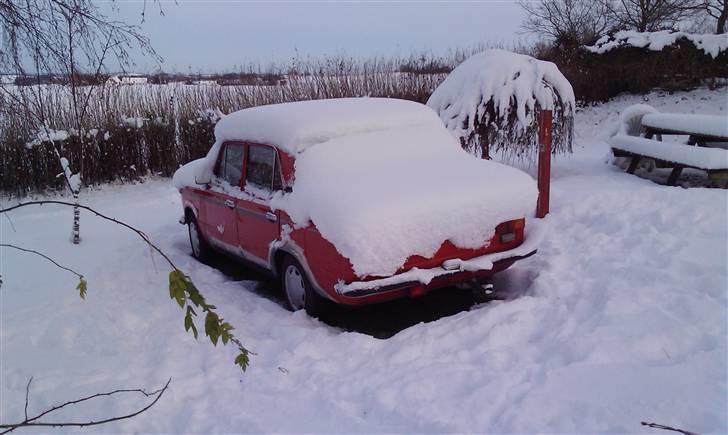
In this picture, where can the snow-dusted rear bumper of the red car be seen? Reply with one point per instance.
(464, 269)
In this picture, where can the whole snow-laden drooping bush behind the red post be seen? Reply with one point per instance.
(494, 98)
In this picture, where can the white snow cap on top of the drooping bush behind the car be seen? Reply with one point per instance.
(504, 77)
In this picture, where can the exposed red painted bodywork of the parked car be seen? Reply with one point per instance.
(246, 227)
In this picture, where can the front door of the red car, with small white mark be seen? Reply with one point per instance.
(220, 199)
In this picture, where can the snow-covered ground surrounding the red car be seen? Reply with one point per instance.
(620, 318)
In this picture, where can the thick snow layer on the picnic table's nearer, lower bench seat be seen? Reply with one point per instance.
(699, 157)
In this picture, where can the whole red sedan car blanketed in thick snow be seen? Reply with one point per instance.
(356, 201)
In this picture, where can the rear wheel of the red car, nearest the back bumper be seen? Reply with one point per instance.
(314, 304)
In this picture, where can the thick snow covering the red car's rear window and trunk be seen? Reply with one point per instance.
(380, 197)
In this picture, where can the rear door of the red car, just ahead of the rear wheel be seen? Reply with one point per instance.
(257, 224)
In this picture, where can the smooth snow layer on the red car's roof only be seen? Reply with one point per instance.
(296, 126)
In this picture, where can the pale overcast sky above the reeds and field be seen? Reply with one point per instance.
(218, 35)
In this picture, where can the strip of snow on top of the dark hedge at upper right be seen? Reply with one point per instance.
(712, 45)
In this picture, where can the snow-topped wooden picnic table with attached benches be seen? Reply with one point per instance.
(705, 150)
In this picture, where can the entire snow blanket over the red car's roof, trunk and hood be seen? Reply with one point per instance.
(381, 179)
